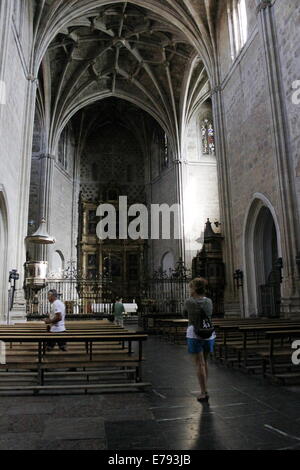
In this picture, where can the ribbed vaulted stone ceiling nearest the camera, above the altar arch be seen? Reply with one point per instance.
(131, 50)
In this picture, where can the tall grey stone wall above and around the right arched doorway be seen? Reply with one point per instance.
(252, 126)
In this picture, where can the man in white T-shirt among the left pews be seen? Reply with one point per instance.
(56, 320)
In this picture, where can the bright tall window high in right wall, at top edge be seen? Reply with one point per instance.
(238, 25)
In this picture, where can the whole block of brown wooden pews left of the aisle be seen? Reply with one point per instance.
(100, 356)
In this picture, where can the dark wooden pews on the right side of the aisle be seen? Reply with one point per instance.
(257, 345)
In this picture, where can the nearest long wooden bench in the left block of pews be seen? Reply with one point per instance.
(85, 351)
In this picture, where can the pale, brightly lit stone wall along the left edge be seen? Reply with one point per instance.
(16, 40)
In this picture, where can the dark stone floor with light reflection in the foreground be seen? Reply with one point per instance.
(243, 413)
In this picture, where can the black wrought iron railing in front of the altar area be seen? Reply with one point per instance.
(164, 292)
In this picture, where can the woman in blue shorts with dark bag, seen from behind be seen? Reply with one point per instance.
(196, 308)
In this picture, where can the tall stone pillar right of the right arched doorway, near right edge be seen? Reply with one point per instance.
(289, 223)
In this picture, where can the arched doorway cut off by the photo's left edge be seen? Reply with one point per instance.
(3, 257)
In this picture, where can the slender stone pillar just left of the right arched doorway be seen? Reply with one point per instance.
(231, 300)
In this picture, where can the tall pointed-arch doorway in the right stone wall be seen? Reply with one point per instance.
(263, 261)
